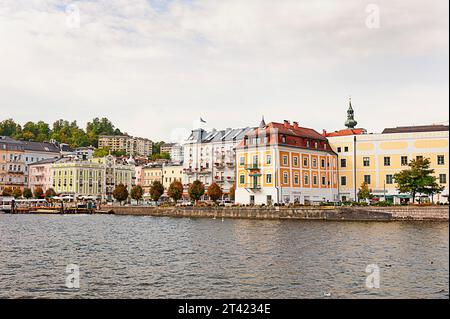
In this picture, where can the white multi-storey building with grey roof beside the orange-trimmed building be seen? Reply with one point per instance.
(210, 156)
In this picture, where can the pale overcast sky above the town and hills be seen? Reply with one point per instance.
(154, 67)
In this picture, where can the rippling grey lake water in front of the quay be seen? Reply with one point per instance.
(151, 257)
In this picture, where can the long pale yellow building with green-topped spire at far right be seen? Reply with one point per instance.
(375, 158)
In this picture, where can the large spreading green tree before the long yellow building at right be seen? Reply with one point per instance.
(418, 179)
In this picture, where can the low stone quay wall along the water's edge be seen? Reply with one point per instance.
(435, 213)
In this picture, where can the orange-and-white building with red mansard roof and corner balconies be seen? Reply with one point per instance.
(284, 163)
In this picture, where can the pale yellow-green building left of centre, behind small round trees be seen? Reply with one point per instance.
(96, 177)
